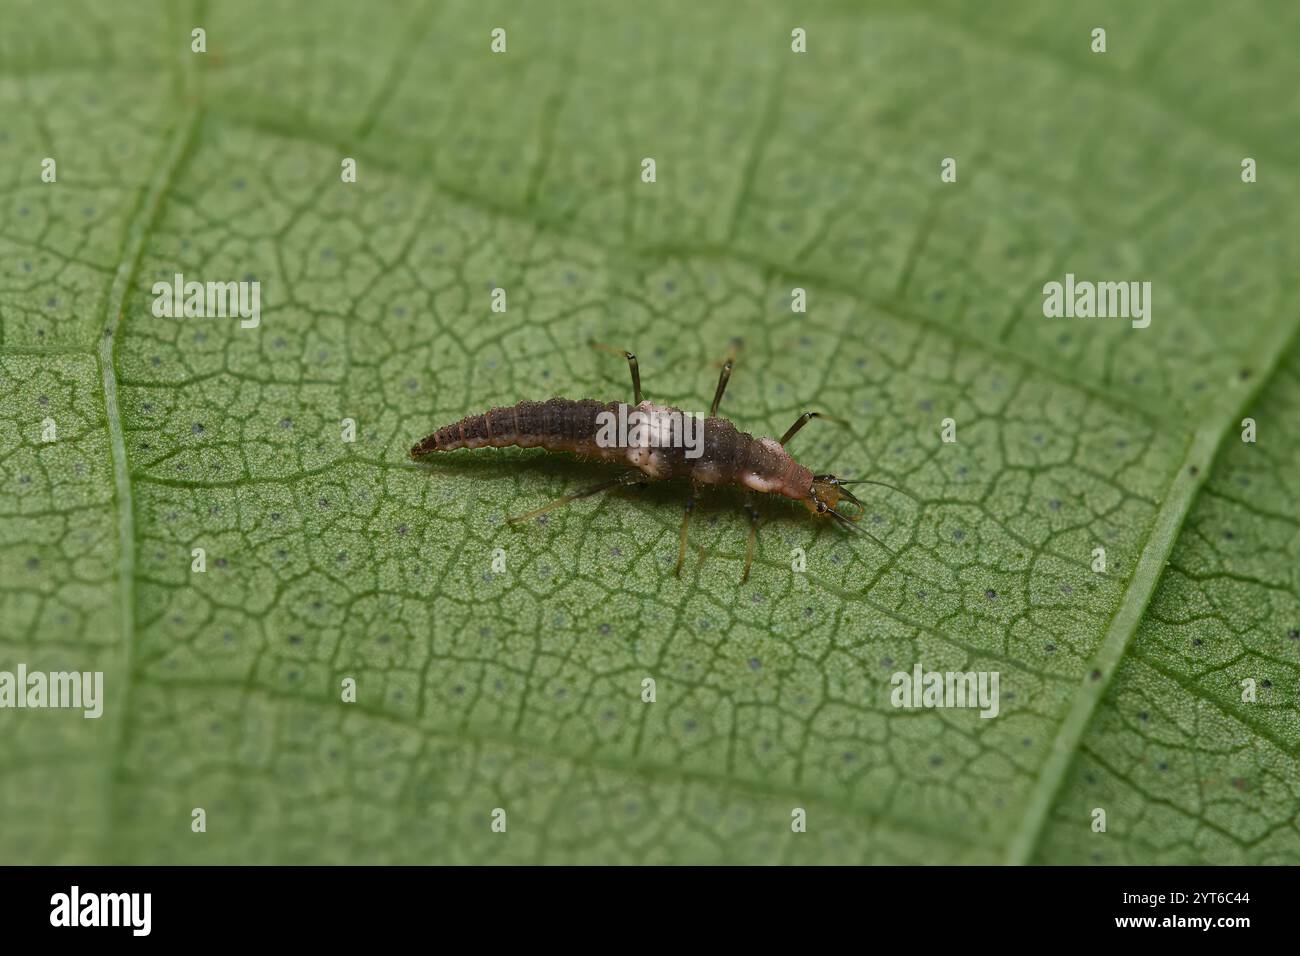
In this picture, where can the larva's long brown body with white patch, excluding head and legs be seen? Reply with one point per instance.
(661, 442)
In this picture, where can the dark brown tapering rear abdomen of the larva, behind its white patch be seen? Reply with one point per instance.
(561, 425)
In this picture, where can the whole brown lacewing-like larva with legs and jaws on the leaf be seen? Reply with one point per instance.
(660, 443)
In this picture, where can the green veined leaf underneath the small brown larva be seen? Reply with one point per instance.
(522, 690)
